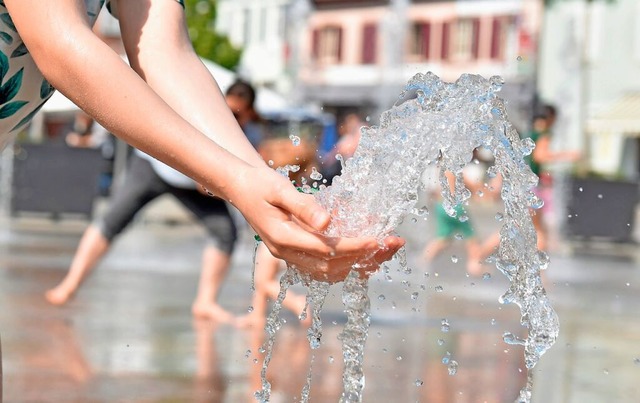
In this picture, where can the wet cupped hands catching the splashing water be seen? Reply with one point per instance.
(290, 224)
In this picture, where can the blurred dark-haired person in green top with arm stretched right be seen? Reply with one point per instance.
(540, 158)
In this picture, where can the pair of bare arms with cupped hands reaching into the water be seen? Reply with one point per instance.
(171, 115)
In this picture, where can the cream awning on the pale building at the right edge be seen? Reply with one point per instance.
(621, 117)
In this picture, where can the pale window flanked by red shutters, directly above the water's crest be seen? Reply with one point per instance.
(460, 39)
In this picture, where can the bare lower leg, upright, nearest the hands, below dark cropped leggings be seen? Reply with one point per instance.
(215, 265)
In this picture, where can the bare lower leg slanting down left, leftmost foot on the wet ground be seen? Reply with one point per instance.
(91, 249)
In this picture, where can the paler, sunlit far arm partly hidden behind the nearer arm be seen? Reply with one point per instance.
(159, 49)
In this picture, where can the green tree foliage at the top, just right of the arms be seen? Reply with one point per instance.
(201, 16)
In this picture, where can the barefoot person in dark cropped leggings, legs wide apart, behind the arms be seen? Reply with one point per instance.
(147, 179)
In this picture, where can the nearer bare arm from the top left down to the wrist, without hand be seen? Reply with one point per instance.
(87, 71)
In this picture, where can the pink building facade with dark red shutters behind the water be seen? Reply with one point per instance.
(361, 53)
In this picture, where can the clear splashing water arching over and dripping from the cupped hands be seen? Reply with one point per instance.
(434, 123)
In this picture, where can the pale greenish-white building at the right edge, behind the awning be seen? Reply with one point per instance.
(590, 69)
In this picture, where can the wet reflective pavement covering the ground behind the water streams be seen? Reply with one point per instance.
(128, 336)
